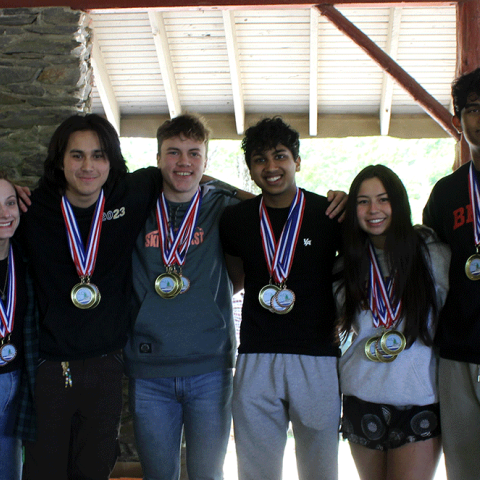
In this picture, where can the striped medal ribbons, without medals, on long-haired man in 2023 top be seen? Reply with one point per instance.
(84, 259)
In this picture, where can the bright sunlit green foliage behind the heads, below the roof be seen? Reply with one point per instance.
(329, 163)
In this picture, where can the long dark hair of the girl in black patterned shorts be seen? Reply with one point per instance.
(405, 252)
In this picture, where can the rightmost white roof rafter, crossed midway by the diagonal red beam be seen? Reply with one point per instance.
(391, 49)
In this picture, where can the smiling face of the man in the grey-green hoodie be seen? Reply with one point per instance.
(182, 161)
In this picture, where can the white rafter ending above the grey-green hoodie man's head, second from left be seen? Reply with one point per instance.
(165, 61)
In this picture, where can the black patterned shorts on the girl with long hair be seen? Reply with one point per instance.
(381, 427)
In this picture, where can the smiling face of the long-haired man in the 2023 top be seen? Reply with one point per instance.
(86, 168)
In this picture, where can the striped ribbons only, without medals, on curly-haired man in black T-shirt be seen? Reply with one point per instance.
(279, 256)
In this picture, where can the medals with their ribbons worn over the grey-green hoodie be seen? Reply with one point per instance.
(174, 246)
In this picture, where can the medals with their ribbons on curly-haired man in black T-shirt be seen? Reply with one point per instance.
(279, 256)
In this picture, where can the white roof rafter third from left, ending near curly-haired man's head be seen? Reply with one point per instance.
(235, 74)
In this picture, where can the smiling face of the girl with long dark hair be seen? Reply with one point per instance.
(374, 211)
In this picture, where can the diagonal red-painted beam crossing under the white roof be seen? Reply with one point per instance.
(431, 106)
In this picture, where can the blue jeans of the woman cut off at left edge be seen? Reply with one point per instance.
(10, 447)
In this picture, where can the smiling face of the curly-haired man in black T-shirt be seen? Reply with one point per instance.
(274, 172)
